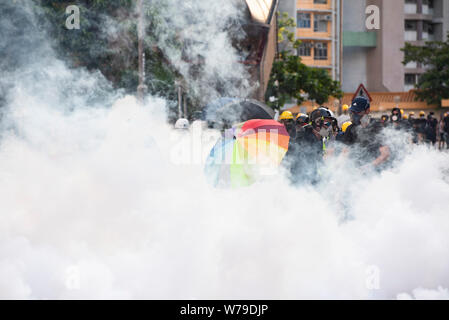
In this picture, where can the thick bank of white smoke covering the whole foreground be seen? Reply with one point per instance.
(92, 206)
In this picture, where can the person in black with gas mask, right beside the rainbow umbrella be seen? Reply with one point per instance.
(306, 153)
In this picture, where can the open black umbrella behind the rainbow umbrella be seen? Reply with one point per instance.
(225, 112)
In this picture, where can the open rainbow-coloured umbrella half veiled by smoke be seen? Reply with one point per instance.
(247, 151)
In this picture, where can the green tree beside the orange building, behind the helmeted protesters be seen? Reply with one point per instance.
(290, 79)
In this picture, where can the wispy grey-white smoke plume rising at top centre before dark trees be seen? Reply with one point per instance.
(205, 31)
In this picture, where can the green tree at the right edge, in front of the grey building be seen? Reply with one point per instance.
(433, 85)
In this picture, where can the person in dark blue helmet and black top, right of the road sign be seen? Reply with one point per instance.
(363, 138)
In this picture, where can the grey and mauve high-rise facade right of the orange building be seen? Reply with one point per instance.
(374, 57)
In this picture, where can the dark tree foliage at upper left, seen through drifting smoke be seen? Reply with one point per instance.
(107, 41)
